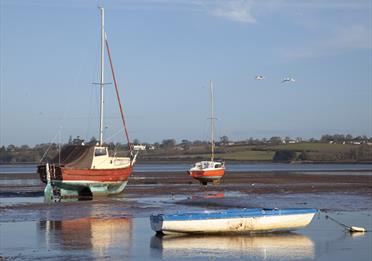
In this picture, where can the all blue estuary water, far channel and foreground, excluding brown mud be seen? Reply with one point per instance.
(118, 228)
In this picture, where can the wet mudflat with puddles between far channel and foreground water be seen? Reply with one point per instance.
(154, 192)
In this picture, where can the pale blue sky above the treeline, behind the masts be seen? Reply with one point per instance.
(165, 52)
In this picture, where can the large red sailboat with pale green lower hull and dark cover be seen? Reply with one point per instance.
(87, 170)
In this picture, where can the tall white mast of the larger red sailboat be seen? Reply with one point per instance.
(102, 80)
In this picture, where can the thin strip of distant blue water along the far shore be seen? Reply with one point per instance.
(254, 167)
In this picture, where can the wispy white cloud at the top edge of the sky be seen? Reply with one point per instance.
(237, 11)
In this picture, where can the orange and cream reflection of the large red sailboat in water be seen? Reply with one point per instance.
(100, 237)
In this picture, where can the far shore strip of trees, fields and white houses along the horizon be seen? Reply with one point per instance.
(188, 149)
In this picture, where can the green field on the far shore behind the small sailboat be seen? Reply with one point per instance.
(317, 152)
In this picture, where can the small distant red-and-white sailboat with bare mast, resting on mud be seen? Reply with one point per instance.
(209, 171)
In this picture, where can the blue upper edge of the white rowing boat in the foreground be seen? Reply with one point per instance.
(232, 213)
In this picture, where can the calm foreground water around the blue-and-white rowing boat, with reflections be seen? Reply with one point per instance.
(133, 239)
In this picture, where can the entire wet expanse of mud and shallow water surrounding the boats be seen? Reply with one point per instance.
(117, 227)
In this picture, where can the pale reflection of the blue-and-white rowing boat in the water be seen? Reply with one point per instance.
(284, 246)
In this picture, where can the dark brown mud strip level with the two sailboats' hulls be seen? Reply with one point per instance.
(164, 183)
